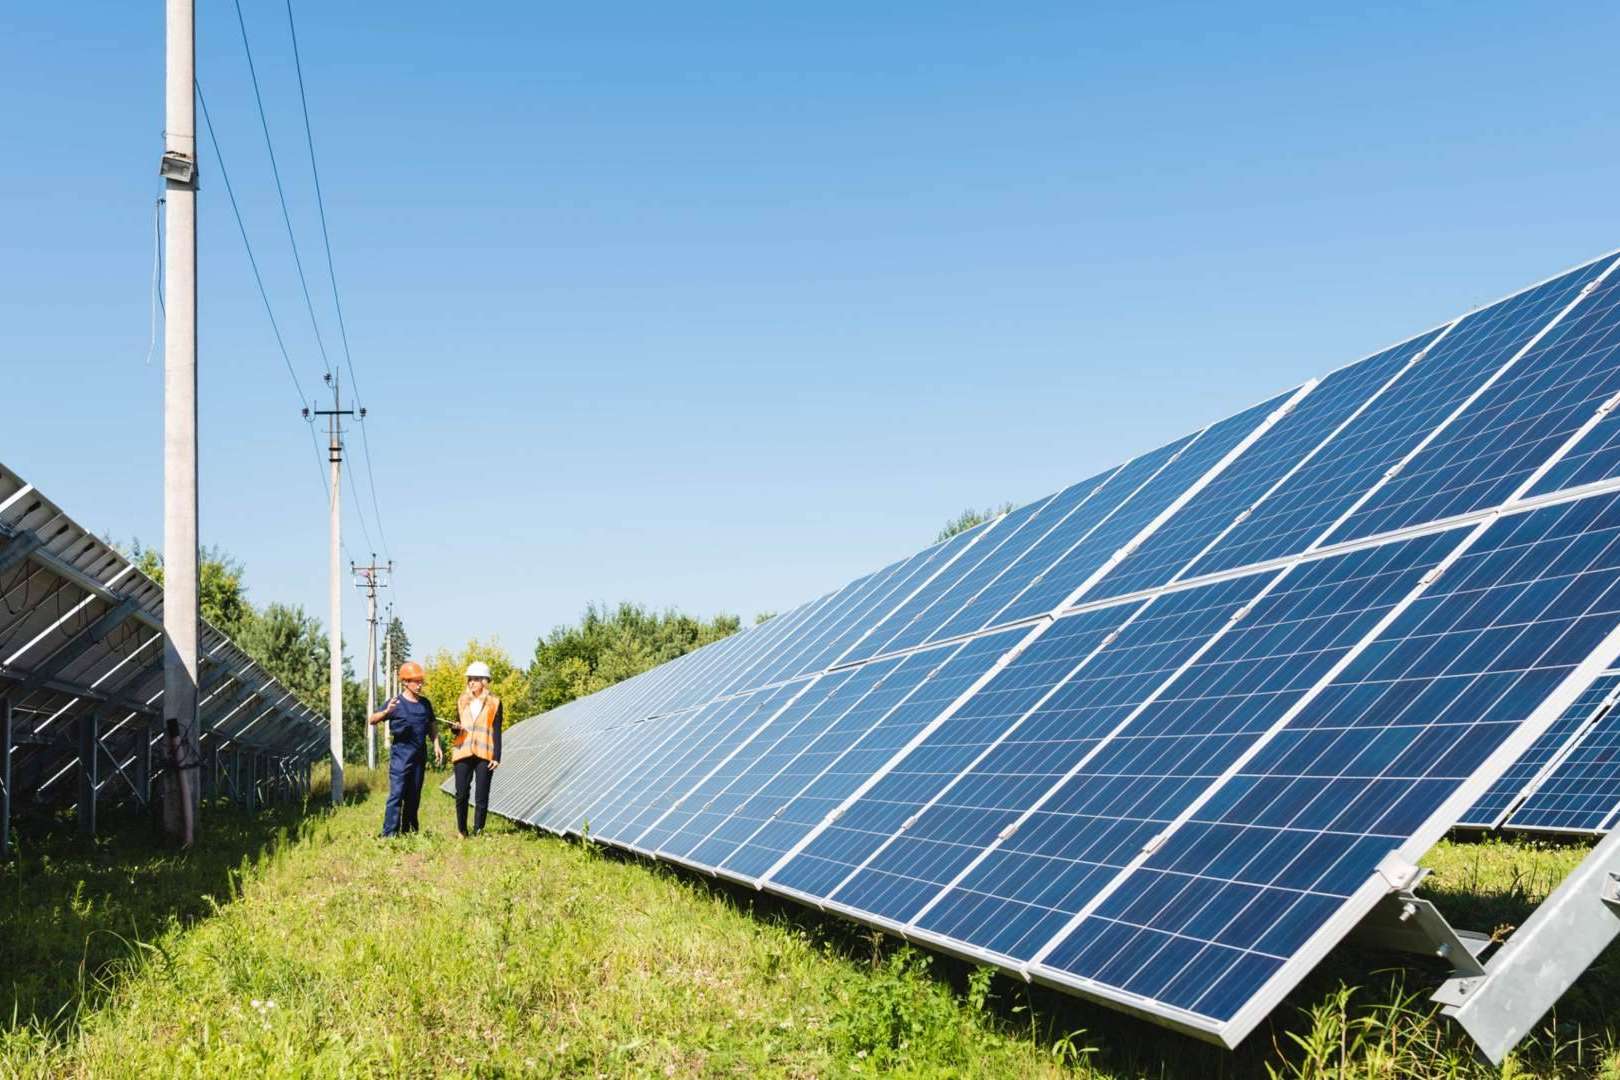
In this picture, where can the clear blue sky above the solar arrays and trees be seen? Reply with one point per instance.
(722, 305)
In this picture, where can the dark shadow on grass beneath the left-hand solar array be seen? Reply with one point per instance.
(77, 914)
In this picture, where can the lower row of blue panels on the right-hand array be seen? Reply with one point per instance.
(1287, 728)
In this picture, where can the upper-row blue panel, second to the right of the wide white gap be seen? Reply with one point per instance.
(1319, 495)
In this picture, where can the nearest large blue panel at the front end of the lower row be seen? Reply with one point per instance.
(1240, 890)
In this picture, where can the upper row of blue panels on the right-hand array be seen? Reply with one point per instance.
(1444, 425)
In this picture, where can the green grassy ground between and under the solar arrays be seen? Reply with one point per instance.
(328, 953)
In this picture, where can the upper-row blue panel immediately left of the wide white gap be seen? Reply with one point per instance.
(1153, 500)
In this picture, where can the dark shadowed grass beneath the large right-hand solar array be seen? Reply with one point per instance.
(1378, 1000)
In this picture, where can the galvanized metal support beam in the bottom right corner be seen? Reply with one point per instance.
(1543, 958)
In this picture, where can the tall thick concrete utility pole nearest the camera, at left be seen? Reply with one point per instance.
(179, 169)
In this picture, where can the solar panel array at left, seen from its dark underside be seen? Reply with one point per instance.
(82, 645)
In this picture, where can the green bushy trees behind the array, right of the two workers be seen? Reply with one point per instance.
(608, 647)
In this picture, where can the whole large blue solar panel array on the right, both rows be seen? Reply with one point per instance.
(1167, 736)
